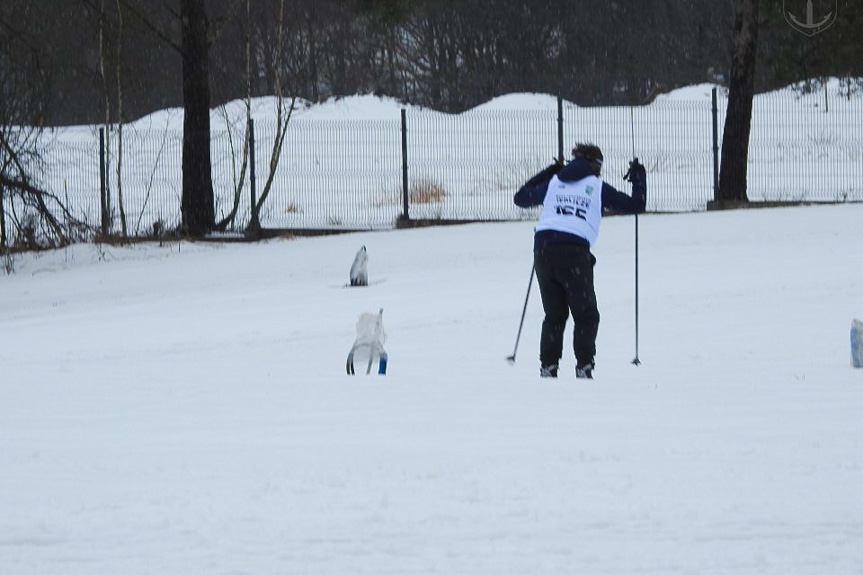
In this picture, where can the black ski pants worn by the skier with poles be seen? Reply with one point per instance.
(564, 272)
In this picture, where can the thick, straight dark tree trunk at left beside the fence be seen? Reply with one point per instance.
(197, 203)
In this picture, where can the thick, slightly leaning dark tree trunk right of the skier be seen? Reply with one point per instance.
(741, 89)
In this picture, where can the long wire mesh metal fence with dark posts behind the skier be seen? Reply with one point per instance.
(366, 173)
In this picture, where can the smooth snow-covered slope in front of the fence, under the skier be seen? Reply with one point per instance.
(183, 409)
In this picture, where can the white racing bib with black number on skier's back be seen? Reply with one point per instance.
(573, 207)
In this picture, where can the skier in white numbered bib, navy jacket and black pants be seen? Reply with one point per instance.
(573, 197)
